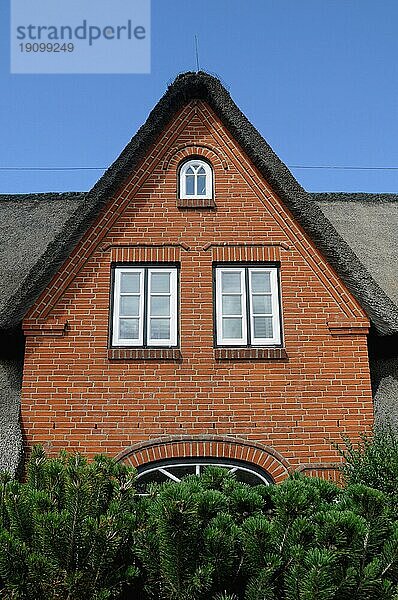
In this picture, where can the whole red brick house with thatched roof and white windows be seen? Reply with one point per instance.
(195, 306)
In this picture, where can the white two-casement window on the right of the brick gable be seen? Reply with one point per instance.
(247, 306)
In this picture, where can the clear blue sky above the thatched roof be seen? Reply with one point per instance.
(317, 78)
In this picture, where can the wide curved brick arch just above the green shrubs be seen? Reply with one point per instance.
(208, 446)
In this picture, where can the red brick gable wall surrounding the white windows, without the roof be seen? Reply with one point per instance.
(79, 394)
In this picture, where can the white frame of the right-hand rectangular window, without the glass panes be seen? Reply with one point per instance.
(248, 338)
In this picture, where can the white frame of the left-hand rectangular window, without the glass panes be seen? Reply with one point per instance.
(144, 315)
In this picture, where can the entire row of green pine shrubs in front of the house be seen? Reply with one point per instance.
(77, 529)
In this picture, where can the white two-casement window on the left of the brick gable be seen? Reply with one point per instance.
(145, 306)
